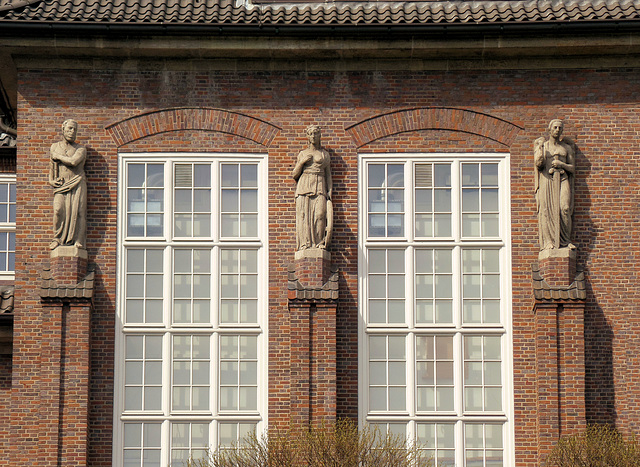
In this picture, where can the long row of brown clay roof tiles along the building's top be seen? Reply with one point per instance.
(237, 12)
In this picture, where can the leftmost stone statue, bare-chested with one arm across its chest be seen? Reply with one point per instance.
(66, 176)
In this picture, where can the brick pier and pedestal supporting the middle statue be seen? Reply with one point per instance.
(313, 293)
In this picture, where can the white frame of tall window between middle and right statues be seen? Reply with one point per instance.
(410, 416)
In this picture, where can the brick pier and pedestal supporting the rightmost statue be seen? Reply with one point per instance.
(560, 295)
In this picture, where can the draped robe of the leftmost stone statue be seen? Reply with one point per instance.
(69, 202)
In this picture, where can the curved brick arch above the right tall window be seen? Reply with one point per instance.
(433, 118)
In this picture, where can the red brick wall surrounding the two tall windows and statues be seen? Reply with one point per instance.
(600, 109)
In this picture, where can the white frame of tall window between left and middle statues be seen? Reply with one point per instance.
(166, 416)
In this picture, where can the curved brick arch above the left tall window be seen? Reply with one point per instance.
(192, 118)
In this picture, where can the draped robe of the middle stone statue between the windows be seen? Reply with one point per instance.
(311, 202)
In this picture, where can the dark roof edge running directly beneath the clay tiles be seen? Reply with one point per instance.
(561, 27)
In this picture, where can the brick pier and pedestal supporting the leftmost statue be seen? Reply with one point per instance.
(66, 292)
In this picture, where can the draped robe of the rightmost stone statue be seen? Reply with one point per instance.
(552, 203)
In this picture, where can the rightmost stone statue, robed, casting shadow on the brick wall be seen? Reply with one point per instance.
(555, 169)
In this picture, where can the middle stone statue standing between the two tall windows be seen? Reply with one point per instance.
(314, 209)
